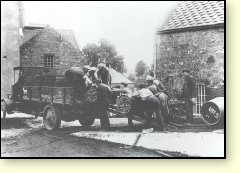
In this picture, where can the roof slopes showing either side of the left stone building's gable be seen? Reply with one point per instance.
(68, 35)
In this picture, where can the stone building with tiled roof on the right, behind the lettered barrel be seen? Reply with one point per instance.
(193, 37)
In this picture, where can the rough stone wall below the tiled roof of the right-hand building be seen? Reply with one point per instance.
(201, 51)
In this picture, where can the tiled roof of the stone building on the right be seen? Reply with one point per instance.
(193, 14)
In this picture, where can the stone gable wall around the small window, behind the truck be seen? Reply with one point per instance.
(50, 42)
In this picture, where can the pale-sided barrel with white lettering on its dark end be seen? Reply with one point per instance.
(213, 111)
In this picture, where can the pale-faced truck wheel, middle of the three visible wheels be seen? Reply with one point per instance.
(51, 117)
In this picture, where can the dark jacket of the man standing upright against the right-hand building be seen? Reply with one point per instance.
(189, 87)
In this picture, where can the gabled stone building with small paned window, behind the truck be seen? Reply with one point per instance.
(44, 46)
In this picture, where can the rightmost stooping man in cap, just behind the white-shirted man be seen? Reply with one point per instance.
(154, 86)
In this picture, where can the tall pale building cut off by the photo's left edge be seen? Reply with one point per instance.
(12, 21)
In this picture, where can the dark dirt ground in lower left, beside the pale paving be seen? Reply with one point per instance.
(24, 136)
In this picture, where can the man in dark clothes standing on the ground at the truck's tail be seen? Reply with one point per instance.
(102, 103)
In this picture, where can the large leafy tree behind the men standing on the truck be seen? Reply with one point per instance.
(105, 51)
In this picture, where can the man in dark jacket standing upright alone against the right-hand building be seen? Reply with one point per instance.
(189, 93)
